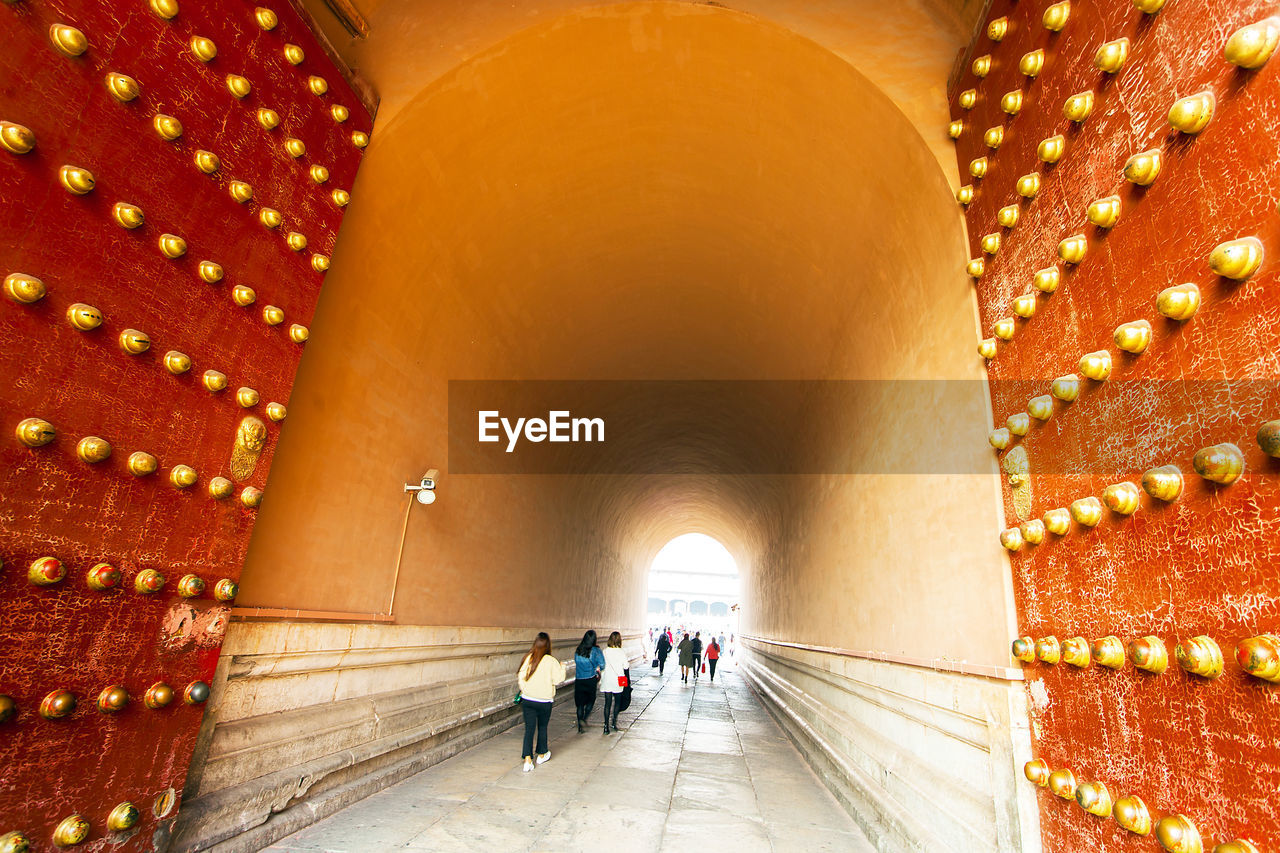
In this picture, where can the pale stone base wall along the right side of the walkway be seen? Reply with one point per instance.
(924, 759)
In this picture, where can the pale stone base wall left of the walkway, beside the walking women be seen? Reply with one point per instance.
(308, 718)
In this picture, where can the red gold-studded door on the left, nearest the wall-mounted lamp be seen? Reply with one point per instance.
(172, 181)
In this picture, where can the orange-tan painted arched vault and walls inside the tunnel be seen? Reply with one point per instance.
(651, 190)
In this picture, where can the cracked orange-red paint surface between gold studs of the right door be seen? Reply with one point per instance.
(1208, 563)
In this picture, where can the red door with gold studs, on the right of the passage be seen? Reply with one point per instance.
(1131, 180)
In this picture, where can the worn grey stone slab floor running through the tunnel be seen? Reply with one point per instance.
(698, 768)
